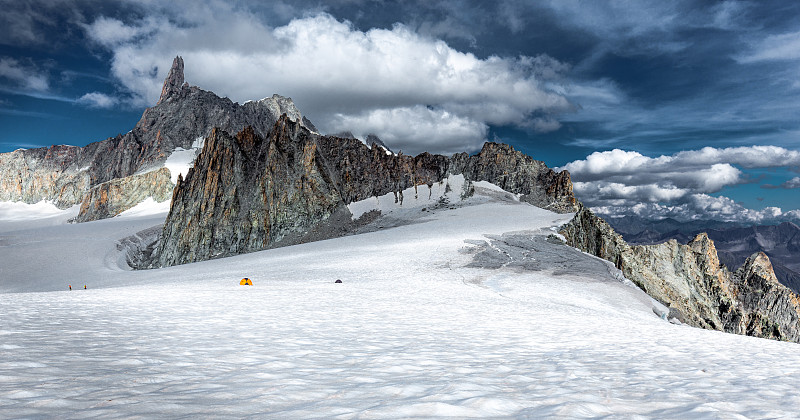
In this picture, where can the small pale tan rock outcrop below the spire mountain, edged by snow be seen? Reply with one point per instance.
(113, 197)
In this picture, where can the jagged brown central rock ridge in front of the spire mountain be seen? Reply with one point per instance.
(246, 193)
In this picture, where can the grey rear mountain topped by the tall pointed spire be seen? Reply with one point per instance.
(64, 174)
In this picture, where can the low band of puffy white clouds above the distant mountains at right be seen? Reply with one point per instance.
(619, 182)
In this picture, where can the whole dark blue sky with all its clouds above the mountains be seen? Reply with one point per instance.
(685, 109)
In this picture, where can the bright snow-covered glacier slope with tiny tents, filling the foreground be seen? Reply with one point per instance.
(419, 327)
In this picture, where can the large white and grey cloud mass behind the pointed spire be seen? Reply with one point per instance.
(414, 91)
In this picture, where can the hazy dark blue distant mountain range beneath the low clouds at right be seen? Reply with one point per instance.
(734, 242)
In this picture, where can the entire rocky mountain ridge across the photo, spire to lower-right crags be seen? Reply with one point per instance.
(266, 178)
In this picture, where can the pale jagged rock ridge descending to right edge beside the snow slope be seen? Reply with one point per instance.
(691, 280)
